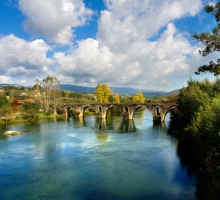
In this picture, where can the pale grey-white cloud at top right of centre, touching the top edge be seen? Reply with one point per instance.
(125, 22)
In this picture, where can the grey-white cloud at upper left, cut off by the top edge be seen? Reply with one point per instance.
(54, 19)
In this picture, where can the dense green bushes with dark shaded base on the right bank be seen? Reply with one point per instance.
(199, 109)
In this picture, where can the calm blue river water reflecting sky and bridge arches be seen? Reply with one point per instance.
(83, 159)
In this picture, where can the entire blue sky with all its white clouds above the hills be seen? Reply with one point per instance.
(144, 44)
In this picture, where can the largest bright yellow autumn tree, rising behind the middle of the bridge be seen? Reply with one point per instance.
(102, 93)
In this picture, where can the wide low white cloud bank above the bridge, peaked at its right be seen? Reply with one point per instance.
(143, 64)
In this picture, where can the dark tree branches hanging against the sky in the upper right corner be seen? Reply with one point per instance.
(211, 41)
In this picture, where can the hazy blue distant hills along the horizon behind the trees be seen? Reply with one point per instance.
(119, 90)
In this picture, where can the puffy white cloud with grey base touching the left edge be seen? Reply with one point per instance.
(21, 59)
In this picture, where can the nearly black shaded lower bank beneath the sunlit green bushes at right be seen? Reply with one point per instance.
(201, 156)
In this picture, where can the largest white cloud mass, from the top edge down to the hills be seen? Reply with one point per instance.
(124, 54)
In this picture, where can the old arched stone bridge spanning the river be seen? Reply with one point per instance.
(158, 110)
